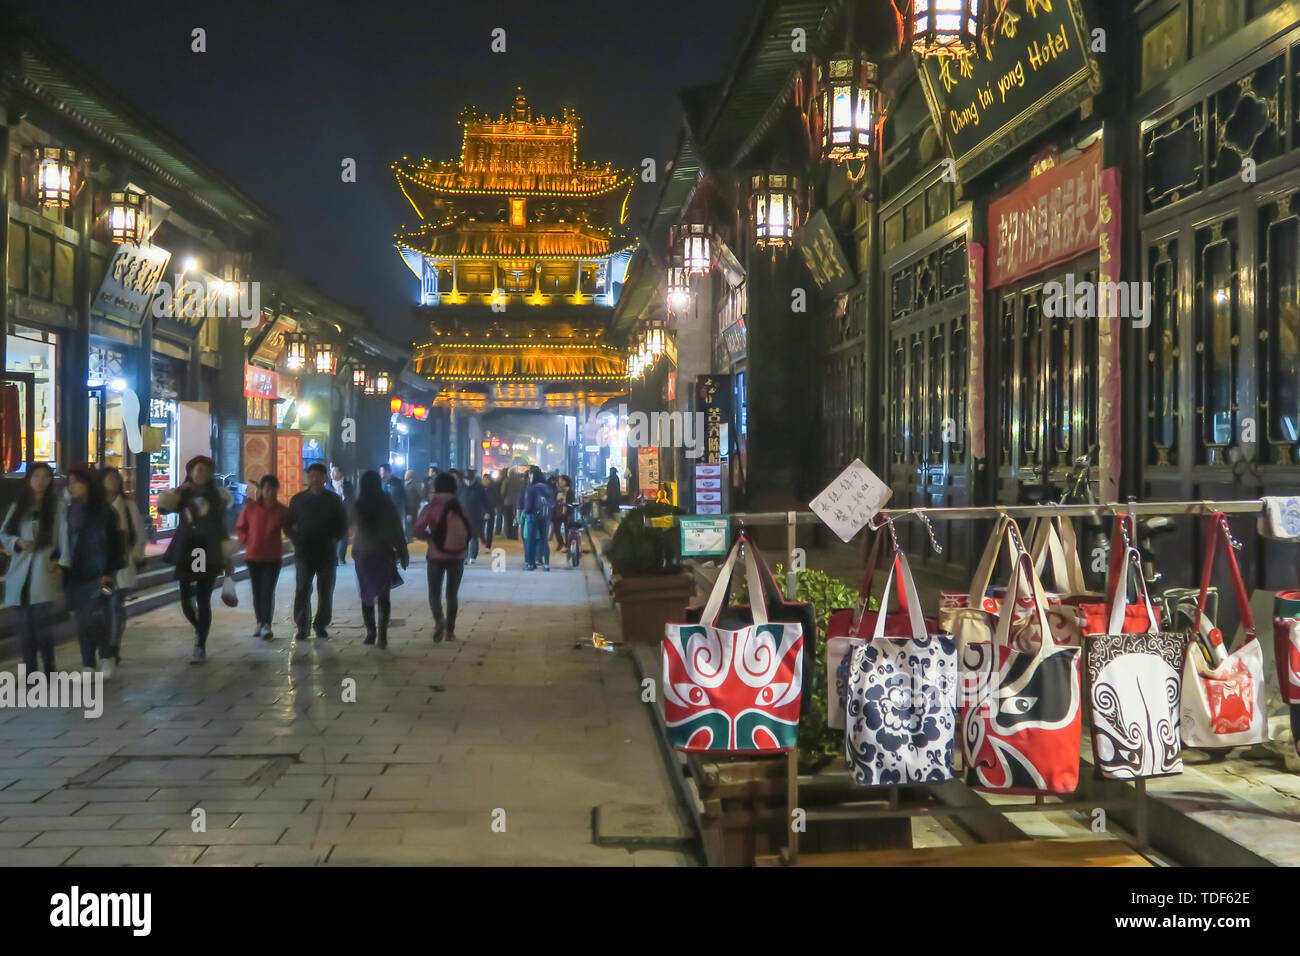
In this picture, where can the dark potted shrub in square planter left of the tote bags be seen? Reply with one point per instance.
(651, 586)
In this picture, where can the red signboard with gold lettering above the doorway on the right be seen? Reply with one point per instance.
(1052, 218)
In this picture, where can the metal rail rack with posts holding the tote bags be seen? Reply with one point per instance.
(890, 806)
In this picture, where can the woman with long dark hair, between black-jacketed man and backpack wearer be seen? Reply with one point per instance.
(379, 547)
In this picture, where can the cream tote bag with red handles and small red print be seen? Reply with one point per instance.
(1224, 706)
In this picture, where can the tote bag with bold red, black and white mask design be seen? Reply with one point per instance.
(1020, 702)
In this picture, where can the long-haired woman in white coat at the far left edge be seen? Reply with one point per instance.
(31, 534)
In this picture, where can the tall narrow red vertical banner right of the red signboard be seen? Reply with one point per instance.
(1110, 328)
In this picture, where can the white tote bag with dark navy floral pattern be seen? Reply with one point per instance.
(903, 699)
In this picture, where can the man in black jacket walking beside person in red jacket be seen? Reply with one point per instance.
(318, 522)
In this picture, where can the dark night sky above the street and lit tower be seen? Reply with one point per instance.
(287, 90)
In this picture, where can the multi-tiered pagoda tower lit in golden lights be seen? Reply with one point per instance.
(521, 253)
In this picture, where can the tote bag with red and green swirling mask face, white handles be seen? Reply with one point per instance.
(734, 690)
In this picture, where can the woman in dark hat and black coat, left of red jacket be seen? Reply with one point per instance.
(201, 548)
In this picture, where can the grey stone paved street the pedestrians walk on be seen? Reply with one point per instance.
(512, 724)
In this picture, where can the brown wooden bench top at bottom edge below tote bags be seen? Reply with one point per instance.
(1082, 853)
